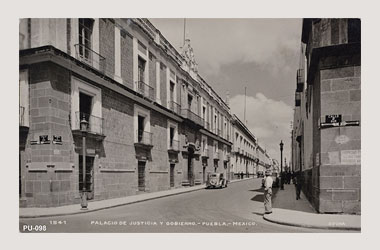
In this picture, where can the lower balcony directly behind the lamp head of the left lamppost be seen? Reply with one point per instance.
(94, 128)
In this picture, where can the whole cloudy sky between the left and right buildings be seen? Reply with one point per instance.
(259, 54)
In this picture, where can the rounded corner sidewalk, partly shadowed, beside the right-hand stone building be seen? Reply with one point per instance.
(289, 211)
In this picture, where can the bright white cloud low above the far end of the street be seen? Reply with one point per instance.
(268, 119)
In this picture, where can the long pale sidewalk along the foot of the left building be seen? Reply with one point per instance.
(35, 212)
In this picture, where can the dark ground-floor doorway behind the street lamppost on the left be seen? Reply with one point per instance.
(89, 176)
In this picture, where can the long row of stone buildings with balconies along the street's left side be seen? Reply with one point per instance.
(153, 122)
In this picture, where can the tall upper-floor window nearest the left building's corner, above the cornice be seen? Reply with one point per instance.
(85, 34)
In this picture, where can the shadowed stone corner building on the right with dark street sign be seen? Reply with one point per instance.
(326, 141)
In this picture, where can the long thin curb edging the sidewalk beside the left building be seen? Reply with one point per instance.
(118, 205)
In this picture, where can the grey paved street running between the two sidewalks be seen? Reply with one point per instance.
(237, 208)
